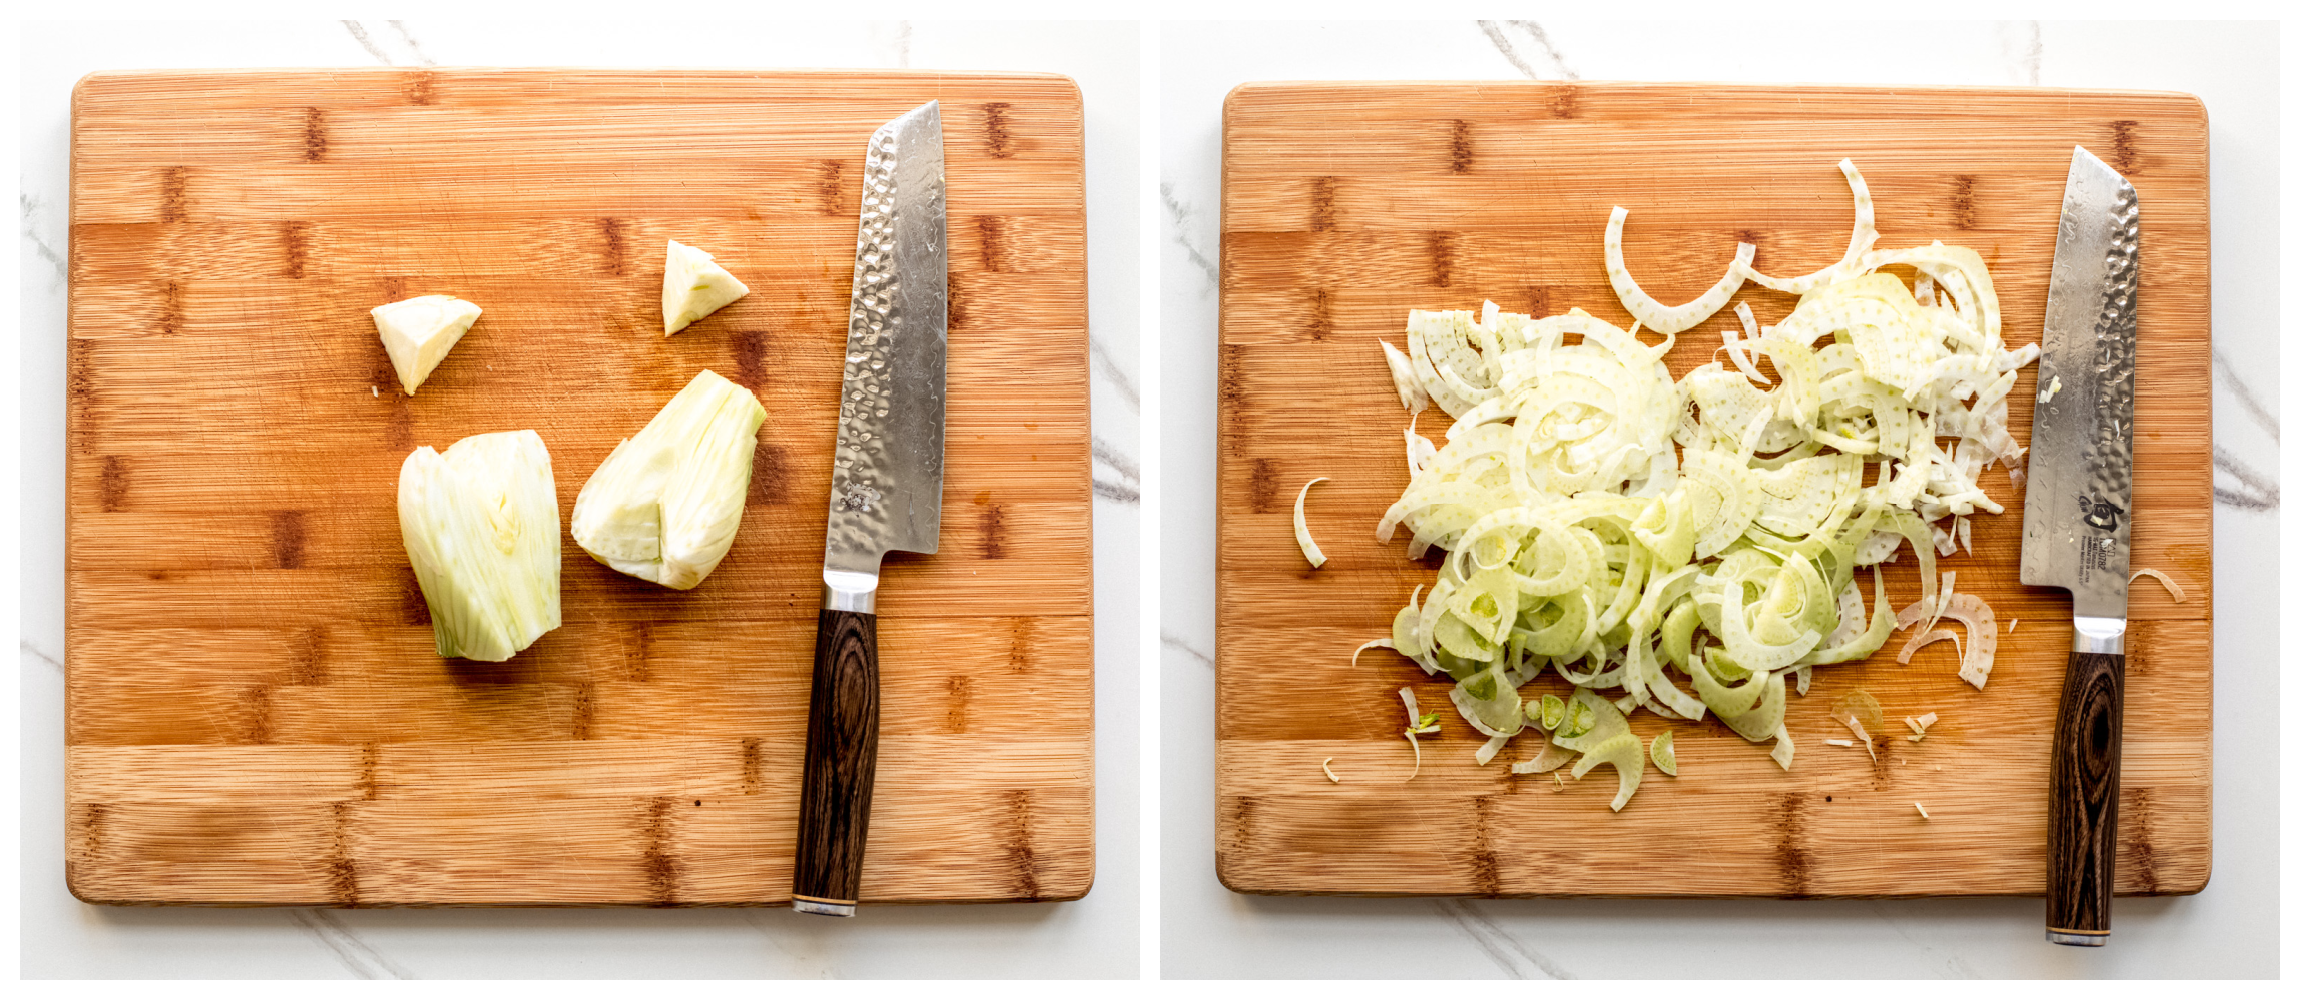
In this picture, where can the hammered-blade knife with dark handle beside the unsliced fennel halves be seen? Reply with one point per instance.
(887, 491)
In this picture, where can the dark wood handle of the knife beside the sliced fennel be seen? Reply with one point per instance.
(2080, 836)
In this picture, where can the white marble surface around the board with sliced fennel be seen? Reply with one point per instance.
(2230, 930)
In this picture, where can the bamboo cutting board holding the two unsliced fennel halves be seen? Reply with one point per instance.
(256, 714)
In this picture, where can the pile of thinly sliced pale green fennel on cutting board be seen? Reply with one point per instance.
(1689, 546)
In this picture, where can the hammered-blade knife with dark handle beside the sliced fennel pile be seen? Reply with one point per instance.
(2078, 530)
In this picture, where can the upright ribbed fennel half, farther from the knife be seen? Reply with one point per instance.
(482, 532)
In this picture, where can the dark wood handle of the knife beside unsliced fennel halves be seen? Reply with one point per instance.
(843, 757)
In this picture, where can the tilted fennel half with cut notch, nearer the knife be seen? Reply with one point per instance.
(668, 500)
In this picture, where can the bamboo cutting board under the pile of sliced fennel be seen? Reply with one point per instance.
(1349, 206)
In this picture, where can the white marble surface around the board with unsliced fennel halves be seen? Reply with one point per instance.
(1089, 939)
